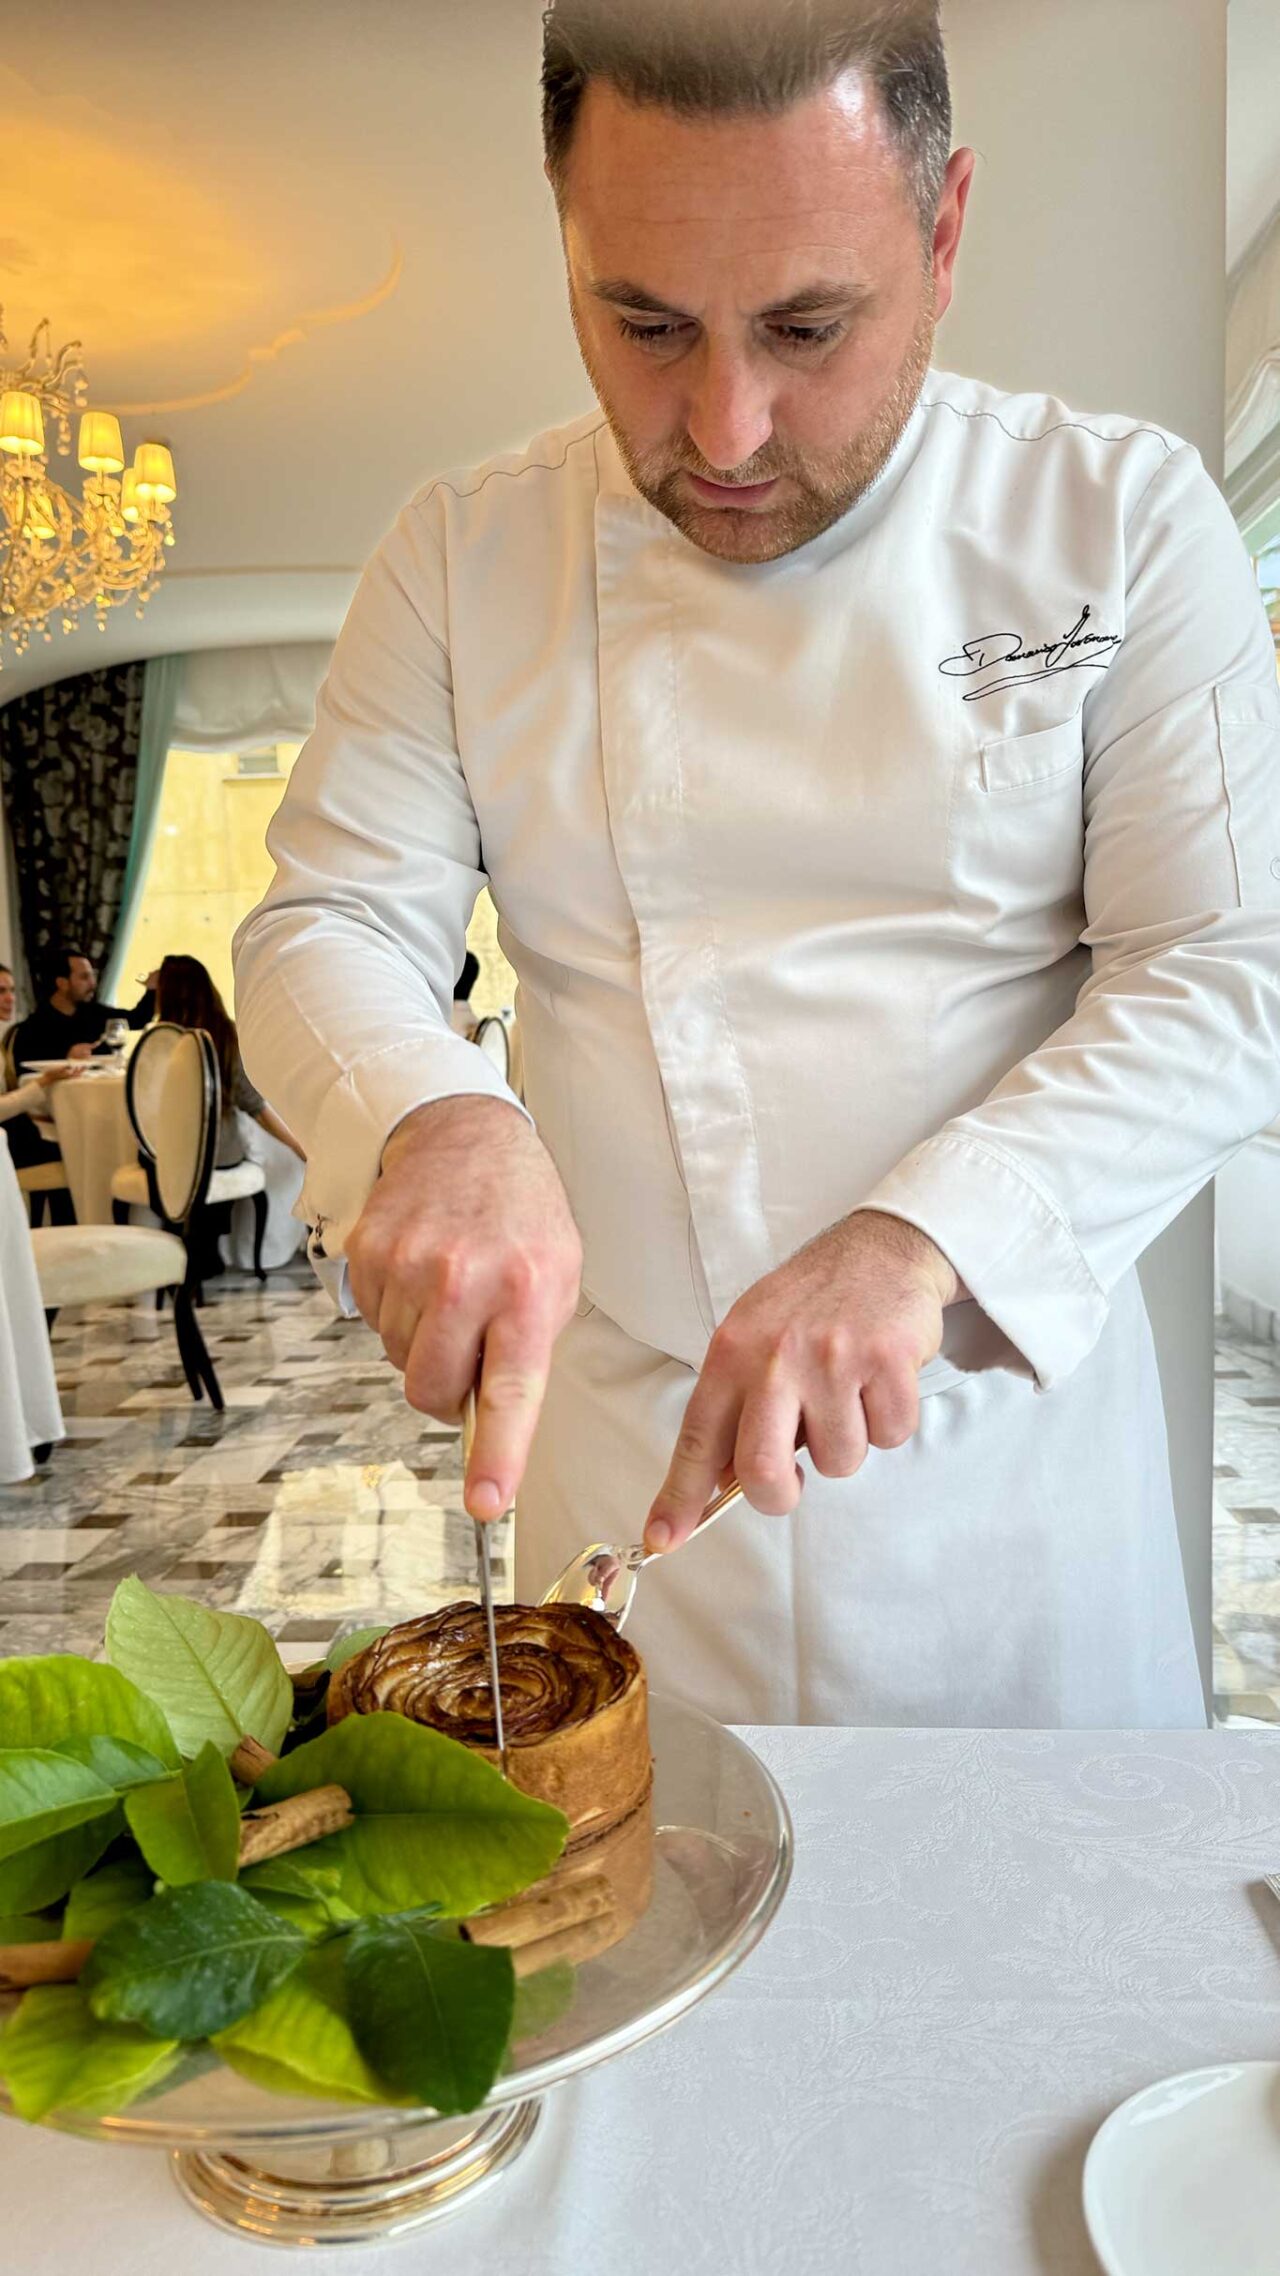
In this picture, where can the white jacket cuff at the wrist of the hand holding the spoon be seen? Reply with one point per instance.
(1010, 1244)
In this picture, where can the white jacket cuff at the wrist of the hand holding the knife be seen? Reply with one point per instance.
(366, 1107)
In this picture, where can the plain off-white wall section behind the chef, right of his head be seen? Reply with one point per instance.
(1094, 267)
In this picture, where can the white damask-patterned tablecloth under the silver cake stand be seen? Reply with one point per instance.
(992, 1940)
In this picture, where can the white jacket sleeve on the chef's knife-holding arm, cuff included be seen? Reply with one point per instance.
(345, 973)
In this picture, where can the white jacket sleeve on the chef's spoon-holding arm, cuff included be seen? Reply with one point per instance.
(1056, 1185)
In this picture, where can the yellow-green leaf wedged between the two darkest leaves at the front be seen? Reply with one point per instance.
(300, 2040)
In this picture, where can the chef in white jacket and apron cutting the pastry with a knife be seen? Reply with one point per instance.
(878, 782)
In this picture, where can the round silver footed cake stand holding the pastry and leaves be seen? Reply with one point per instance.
(322, 2172)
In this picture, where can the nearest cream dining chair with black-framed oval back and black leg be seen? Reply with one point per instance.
(95, 1264)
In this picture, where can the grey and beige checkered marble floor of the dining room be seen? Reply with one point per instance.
(318, 1501)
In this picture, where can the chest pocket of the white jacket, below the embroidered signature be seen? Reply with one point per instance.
(1017, 836)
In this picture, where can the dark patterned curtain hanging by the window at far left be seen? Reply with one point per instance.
(69, 777)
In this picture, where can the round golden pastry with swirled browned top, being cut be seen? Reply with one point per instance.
(575, 1701)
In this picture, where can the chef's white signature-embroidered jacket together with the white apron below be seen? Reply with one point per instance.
(930, 868)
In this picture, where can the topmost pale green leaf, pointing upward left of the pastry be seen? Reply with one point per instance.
(215, 1674)
